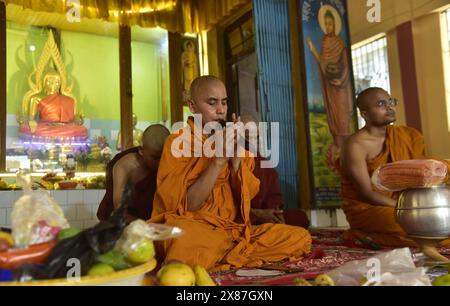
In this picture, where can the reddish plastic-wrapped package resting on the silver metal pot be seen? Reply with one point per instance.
(408, 174)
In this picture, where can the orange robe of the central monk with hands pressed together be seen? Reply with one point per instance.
(219, 236)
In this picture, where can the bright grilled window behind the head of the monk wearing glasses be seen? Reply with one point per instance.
(370, 67)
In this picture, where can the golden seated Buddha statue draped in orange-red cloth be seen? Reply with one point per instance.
(53, 115)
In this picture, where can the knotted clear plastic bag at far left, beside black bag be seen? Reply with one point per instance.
(36, 217)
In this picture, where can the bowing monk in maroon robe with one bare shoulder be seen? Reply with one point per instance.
(139, 165)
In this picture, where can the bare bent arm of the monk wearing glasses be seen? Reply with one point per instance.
(355, 165)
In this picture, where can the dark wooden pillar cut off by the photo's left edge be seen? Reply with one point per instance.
(2, 87)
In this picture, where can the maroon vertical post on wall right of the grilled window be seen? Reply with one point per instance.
(409, 75)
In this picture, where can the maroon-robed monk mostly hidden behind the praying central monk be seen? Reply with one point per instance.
(267, 205)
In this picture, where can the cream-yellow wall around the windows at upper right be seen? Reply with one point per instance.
(434, 94)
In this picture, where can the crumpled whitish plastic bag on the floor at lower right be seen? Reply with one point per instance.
(394, 268)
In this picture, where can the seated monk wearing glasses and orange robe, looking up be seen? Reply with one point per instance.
(369, 211)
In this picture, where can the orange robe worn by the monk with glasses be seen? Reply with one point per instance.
(378, 222)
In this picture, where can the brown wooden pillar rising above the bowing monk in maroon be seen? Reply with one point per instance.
(126, 88)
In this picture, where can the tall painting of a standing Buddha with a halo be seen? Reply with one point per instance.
(329, 92)
